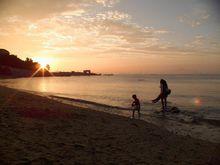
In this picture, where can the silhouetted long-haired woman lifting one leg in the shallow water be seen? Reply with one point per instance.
(165, 91)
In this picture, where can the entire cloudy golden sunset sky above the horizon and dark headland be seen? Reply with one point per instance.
(115, 36)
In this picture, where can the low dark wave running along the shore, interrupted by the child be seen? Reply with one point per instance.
(174, 113)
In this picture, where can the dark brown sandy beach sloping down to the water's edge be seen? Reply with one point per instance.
(38, 130)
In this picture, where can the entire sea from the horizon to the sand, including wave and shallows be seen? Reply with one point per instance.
(197, 97)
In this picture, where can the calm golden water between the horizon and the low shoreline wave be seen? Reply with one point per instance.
(195, 93)
